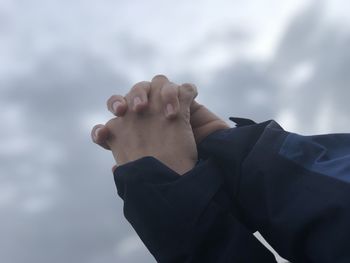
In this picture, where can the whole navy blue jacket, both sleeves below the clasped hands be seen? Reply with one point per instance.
(293, 189)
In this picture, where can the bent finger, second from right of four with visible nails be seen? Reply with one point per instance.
(137, 98)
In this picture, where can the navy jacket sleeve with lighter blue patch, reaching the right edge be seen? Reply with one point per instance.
(293, 189)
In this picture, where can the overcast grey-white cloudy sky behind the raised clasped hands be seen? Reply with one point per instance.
(60, 60)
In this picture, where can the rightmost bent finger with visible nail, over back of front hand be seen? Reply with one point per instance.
(170, 100)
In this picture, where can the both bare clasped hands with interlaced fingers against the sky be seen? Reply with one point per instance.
(154, 112)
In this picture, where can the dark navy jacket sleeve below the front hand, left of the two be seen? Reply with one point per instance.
(185, 218)
